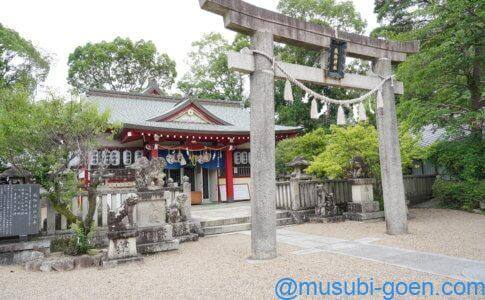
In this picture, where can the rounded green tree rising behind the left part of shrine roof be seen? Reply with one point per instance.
(120, 65)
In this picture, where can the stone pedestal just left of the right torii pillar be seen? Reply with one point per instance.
(363, 207)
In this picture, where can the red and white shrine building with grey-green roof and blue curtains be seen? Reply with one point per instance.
(206, 140)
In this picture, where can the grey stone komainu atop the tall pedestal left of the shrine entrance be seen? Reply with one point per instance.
(149, 173)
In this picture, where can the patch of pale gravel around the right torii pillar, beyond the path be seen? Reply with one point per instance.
(443, 231)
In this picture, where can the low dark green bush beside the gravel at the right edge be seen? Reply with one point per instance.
(459, 194)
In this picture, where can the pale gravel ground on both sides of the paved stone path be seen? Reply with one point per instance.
(216, 267)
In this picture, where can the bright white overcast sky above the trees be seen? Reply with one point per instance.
(59, 26)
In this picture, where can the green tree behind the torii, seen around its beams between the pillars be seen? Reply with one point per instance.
(332, 13)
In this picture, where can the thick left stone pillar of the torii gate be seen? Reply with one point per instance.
(263, 177)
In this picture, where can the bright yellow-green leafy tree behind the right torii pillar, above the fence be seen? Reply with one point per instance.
(352, 147)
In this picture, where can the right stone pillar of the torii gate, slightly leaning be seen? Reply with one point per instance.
(390, 156)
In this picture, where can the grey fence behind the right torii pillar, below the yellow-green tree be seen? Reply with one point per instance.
(417, 189)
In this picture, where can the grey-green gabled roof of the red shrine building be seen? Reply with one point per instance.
(154, 112)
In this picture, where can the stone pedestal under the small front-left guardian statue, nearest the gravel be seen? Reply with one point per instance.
(122, 248)
